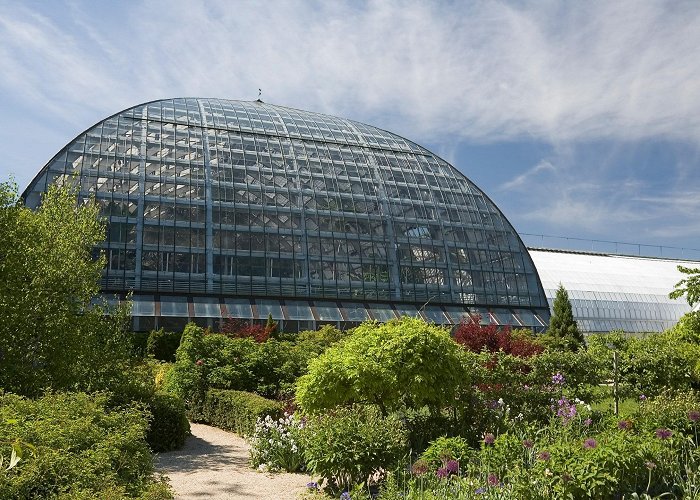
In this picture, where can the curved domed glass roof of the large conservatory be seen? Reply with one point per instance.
(221, 198)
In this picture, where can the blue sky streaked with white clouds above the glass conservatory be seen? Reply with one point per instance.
(579, 119)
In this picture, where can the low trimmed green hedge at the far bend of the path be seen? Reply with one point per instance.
(238, 411)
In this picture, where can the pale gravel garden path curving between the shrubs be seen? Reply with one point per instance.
(214, 464)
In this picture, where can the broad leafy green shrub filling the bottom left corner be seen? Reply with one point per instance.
(83, 449)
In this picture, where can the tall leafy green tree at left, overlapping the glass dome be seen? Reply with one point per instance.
(50, 333)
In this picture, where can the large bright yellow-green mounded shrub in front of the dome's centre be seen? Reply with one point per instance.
(400, 363)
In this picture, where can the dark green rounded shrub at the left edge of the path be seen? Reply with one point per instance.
(168, 423)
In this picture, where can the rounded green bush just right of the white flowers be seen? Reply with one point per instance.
(346, 445)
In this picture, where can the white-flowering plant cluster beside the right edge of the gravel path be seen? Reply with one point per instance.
(275, 444)
